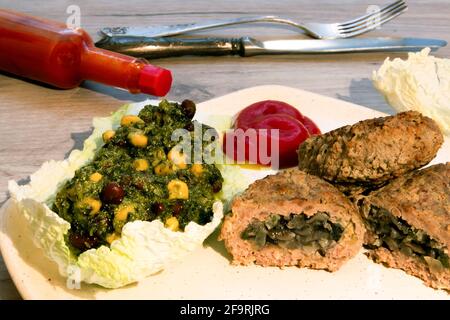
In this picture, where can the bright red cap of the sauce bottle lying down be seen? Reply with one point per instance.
(155, 81)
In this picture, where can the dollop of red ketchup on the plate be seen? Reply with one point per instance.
(260, 118)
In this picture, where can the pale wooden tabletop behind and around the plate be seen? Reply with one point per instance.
(39, 123)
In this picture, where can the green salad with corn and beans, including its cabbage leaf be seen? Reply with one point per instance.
(130, 203)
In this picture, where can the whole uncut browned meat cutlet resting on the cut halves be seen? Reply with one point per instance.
(368, 154)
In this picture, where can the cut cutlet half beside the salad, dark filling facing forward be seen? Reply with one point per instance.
(293, 219)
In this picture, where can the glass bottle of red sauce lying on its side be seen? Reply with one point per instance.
(50, 52)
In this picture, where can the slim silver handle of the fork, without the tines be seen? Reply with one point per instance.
(177, 29)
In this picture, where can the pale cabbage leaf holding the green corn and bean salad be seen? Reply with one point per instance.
(144, 248)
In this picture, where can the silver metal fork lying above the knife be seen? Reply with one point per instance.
(346, 29)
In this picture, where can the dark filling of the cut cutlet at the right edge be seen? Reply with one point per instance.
(396, 234)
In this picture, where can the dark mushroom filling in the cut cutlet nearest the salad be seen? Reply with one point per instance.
(295, 231)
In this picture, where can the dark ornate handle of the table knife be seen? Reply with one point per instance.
(146, 47)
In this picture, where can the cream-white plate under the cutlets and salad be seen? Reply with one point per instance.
(207, 273)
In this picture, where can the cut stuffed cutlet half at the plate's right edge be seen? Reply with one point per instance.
(408, 225)
